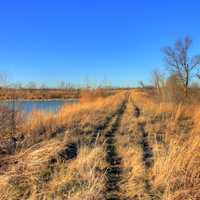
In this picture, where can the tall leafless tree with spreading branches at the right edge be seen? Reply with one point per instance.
(180, 63)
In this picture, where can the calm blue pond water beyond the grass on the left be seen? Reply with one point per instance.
(47, 105)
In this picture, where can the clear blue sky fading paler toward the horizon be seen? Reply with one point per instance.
(77, 40)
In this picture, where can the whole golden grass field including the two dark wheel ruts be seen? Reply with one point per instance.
(122, 147)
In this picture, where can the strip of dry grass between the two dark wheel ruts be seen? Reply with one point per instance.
(132, 184)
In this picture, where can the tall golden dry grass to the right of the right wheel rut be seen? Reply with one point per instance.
(174, 136)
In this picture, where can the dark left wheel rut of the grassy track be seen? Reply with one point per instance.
(114, 170)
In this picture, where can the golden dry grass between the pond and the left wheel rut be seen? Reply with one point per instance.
(37, 171)
